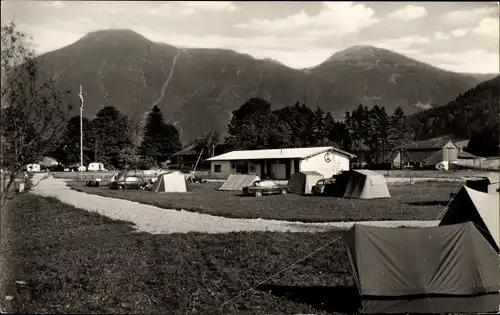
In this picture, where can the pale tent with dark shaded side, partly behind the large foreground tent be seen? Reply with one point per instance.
(478, 207)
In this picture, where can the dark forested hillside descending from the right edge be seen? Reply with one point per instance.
(474, 112)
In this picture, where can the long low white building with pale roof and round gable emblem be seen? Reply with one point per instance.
(280, 164)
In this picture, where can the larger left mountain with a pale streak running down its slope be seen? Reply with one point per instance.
(197, 89)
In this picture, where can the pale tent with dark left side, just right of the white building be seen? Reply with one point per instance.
(362, 184)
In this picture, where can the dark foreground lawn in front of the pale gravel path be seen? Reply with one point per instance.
(69, 260)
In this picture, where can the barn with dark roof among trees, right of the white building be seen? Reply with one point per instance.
(427, 154)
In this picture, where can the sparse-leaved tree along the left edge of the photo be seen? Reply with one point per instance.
(32, 115)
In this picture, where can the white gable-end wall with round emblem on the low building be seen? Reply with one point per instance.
(327, 169)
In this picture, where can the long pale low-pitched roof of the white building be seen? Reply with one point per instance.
(289, 153)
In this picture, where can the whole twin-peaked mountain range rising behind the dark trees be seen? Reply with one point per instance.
(197, 89)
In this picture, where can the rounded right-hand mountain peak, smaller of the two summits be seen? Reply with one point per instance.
(376, 75)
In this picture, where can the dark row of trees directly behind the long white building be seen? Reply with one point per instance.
(372, 131)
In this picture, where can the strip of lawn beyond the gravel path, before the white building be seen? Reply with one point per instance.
(422, 201)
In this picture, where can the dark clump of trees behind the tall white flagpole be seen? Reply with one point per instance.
(119, 141)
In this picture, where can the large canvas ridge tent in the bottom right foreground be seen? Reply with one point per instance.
(442, 269)
